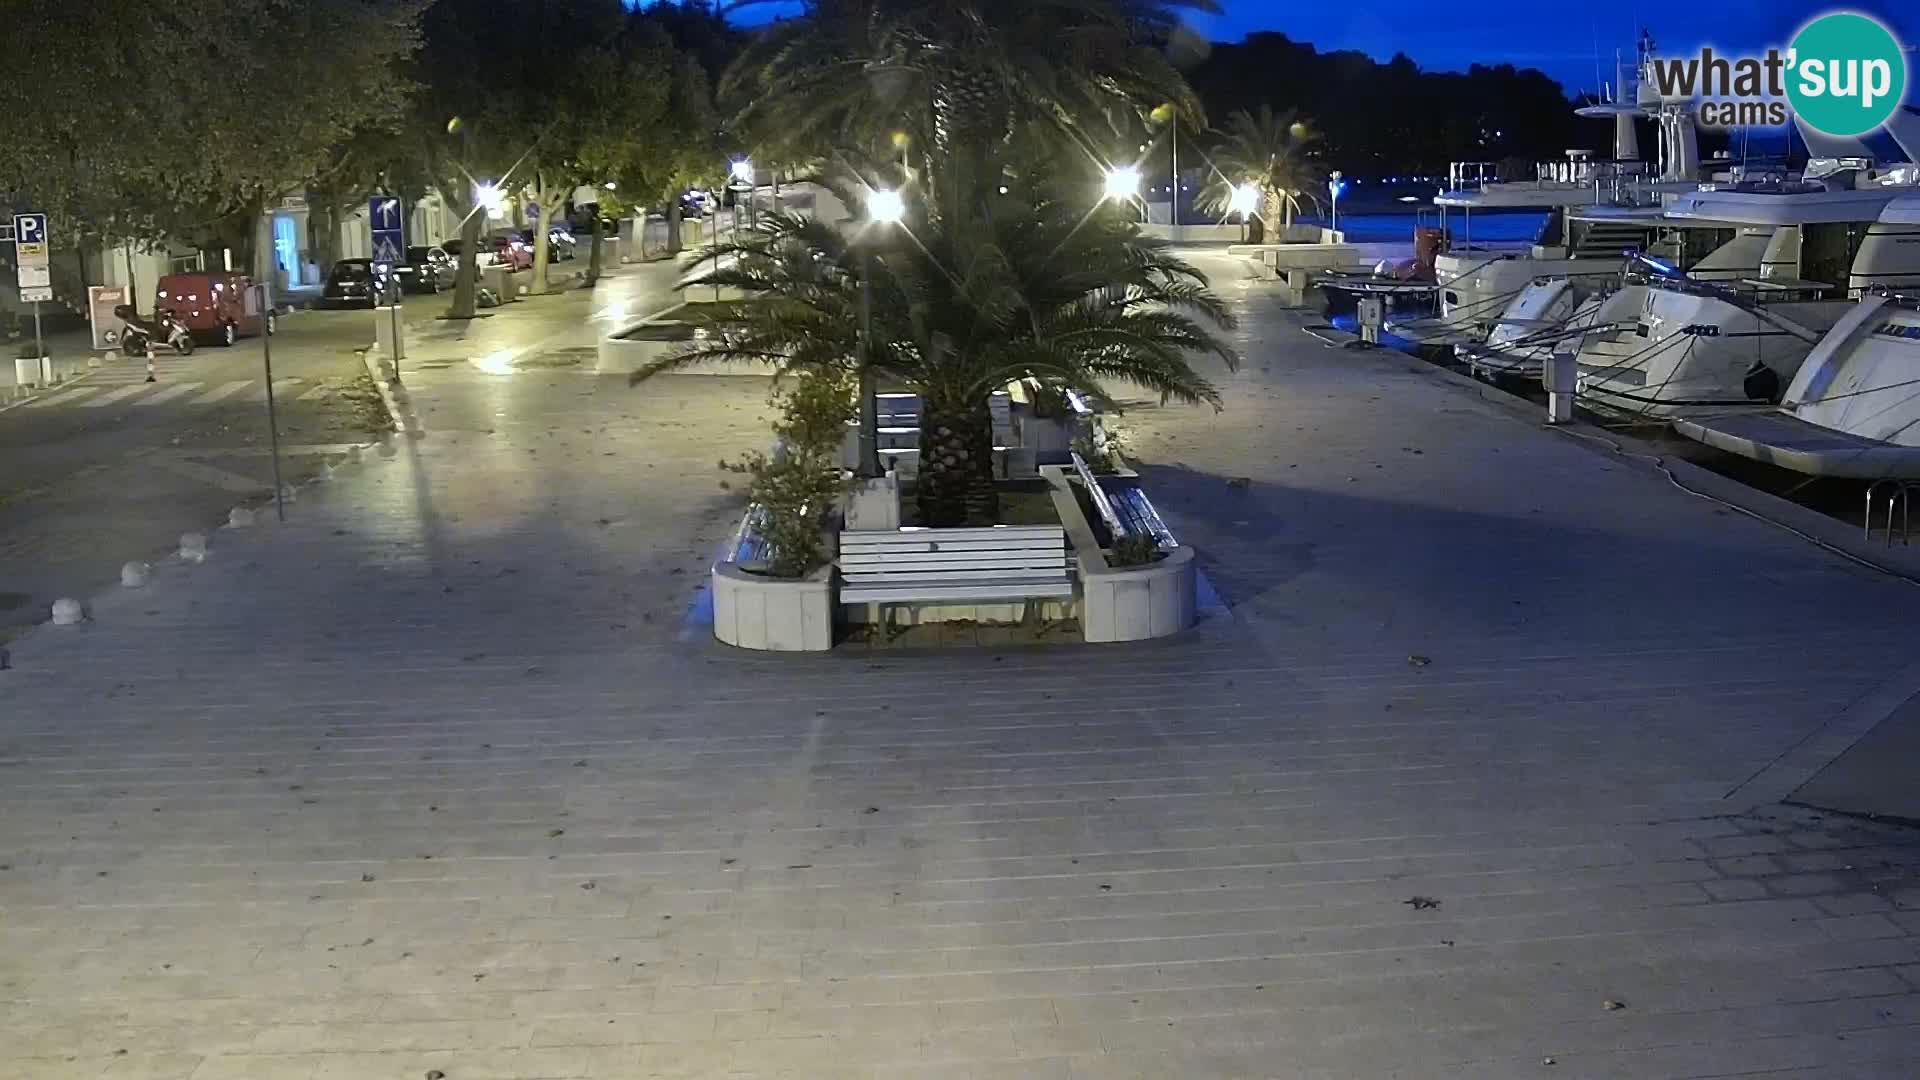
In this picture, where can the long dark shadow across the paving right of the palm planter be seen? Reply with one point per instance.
(1550, 560)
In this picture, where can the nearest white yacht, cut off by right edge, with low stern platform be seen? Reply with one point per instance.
(1854, 406)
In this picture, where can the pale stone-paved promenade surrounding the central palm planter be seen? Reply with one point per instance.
(1477, 781)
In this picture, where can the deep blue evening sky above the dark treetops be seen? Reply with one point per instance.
(1554, 36)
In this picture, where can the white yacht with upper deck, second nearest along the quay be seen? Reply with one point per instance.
(1702, 347)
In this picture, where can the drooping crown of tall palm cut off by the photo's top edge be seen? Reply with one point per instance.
(955, 74)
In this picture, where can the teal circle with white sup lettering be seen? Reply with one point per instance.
(1846, 74)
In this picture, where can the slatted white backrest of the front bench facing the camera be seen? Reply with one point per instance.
(961, 554)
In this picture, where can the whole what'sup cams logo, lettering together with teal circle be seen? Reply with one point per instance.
(1844, 74)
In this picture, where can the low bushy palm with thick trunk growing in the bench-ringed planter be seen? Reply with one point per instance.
(974, 291)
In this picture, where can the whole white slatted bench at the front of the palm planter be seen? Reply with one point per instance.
(944, 566)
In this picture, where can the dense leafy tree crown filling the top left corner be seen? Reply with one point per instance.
(160, 149)
